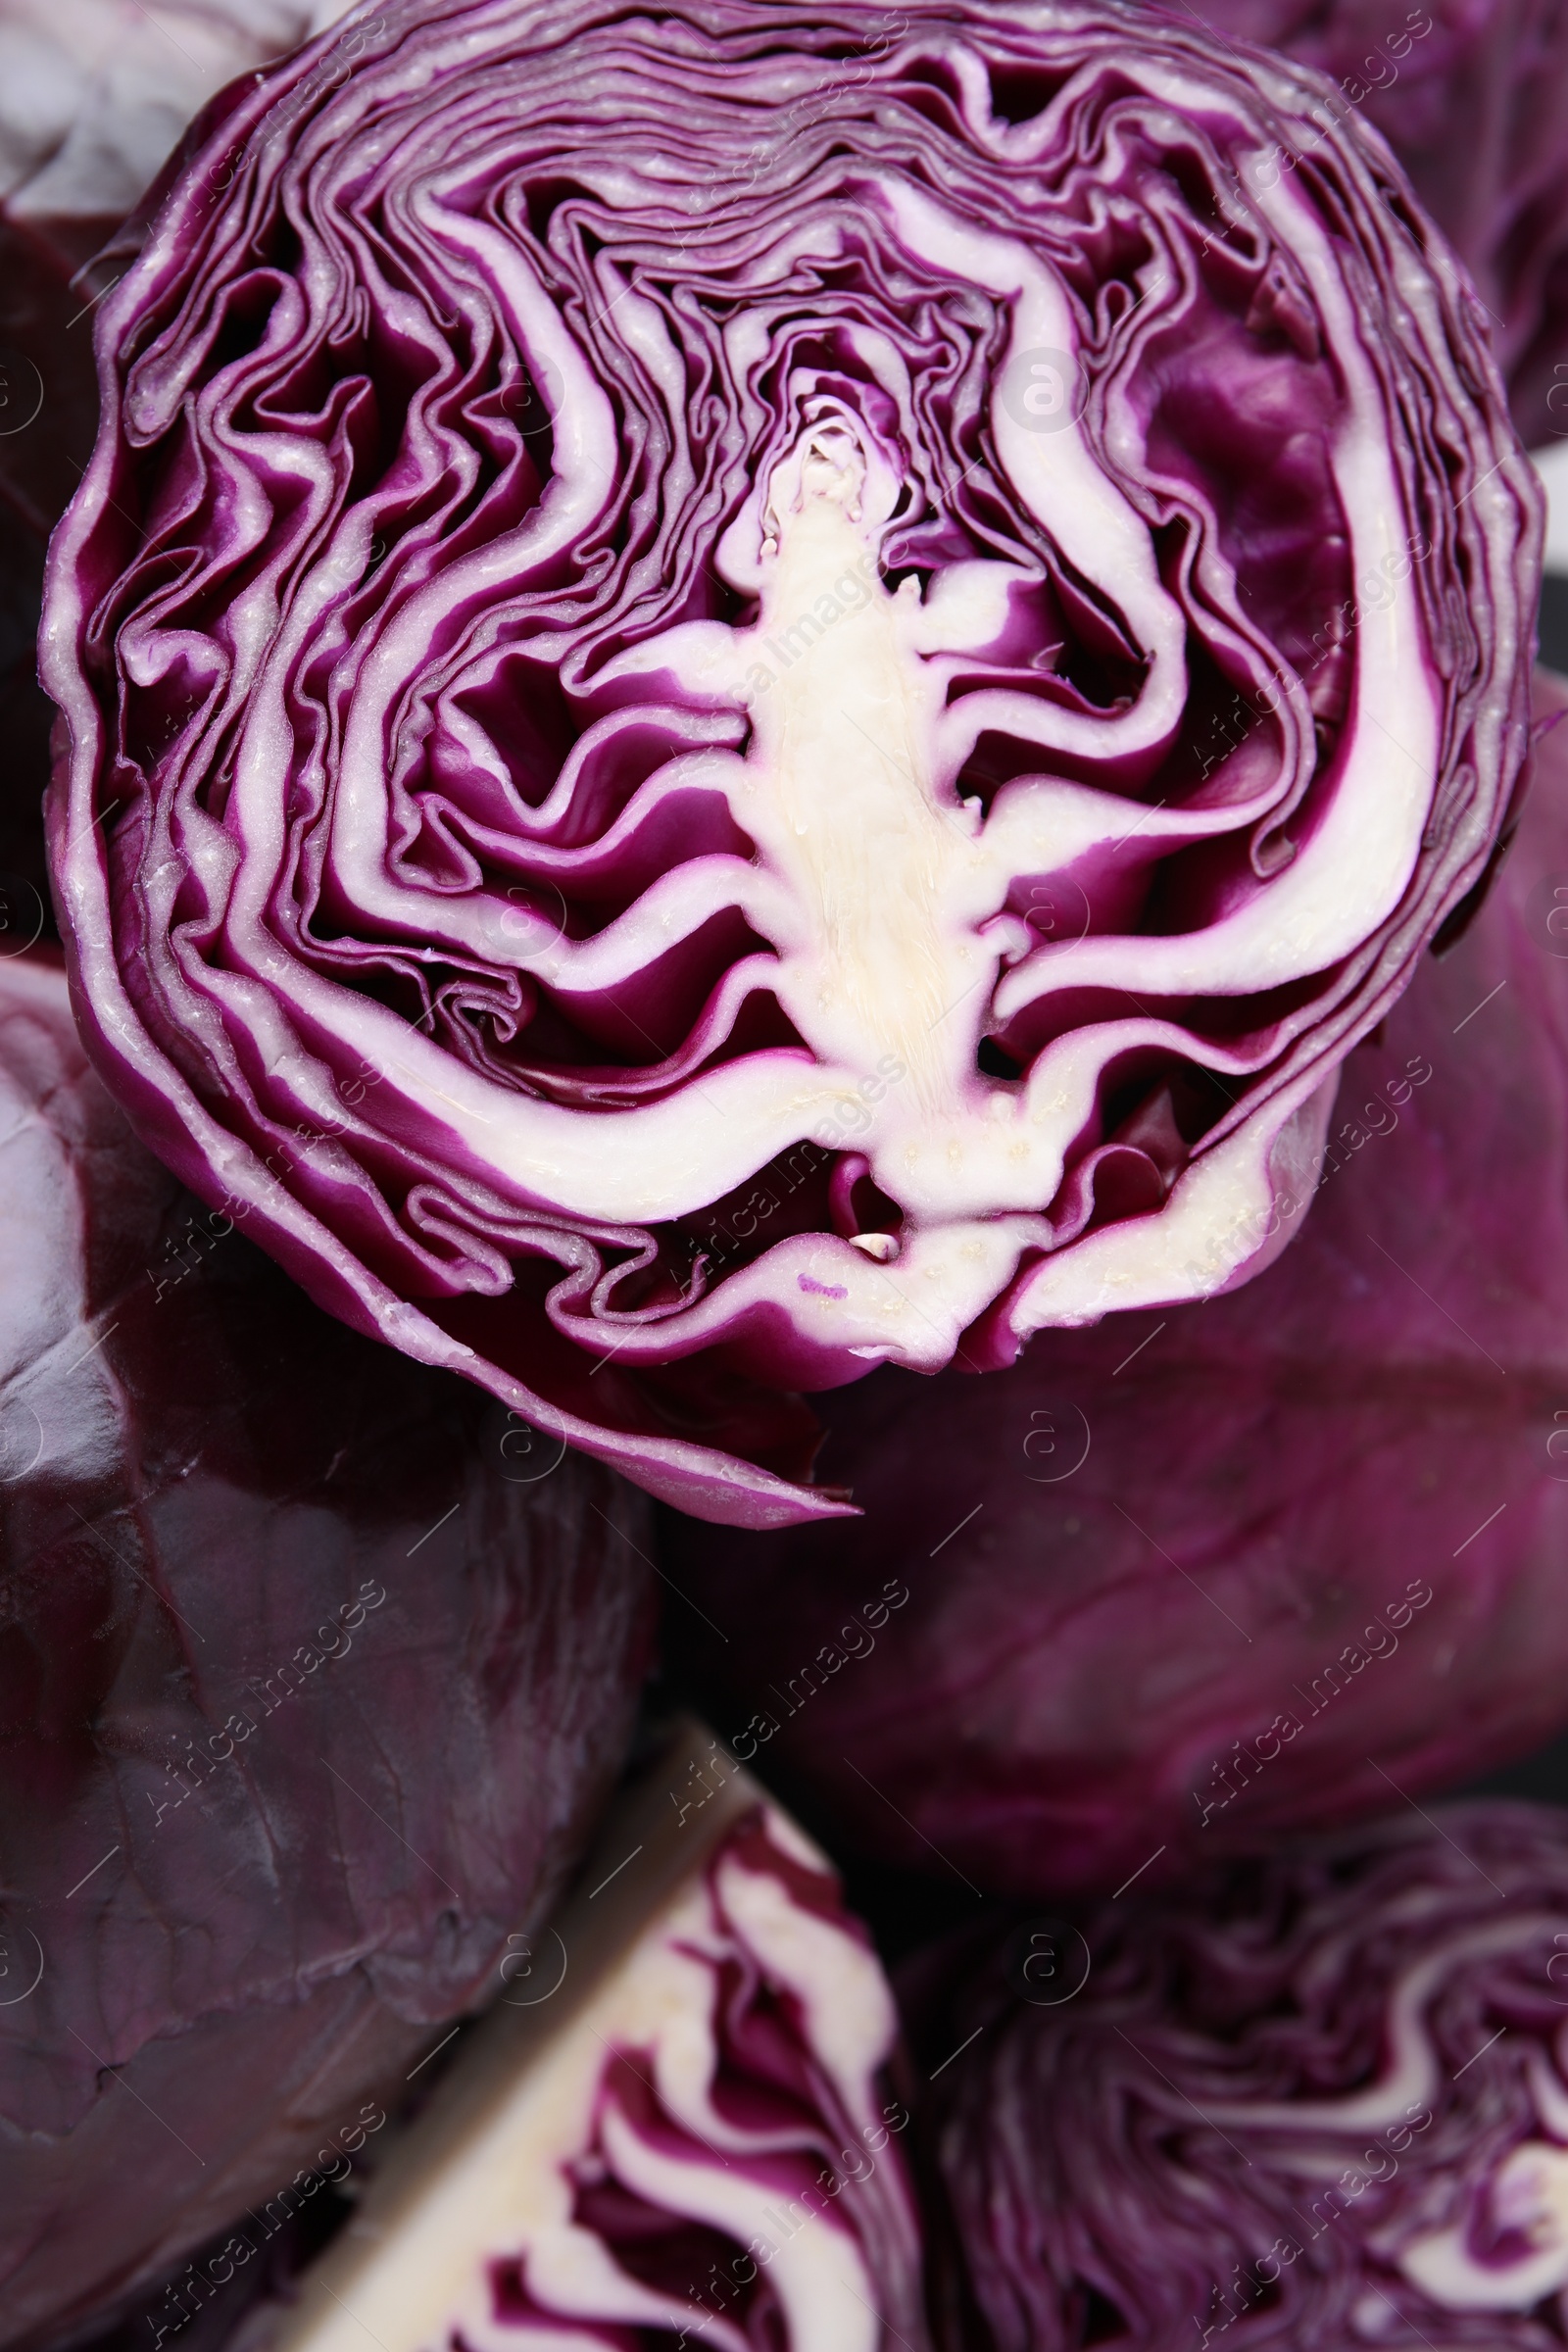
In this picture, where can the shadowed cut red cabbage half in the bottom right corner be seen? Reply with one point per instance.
(1315, 2106)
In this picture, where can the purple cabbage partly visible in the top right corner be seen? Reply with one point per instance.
(1473, 95)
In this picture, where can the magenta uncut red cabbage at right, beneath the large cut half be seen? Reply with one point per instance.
(1195, 1579)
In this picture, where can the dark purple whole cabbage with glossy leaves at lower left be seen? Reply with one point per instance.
(311, 1685)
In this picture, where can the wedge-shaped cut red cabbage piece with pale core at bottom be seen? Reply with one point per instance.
(674, 2127)
